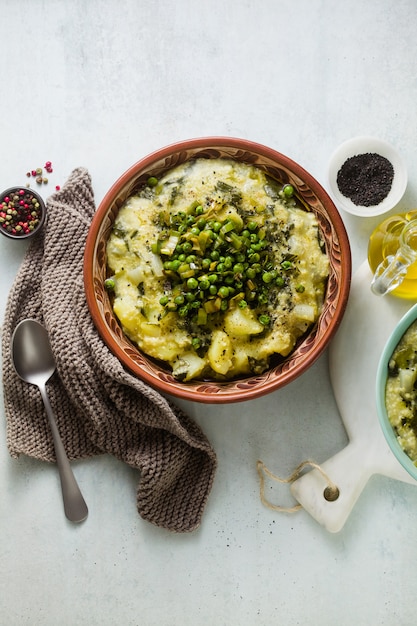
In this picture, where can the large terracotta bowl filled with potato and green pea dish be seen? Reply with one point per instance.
(280, 183)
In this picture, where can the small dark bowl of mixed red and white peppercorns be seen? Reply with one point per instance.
(22, 212)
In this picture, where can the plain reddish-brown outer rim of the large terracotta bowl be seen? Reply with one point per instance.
(234, 394)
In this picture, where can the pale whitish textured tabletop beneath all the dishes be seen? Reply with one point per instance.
(101, 84)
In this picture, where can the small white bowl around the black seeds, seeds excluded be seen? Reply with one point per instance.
(365, 145)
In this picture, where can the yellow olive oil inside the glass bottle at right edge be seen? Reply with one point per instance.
(384, 242)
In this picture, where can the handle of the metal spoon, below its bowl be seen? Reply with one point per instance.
(74, 504)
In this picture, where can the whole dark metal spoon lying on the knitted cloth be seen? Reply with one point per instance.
(34, 362)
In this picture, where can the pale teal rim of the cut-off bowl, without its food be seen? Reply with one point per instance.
(381, 381)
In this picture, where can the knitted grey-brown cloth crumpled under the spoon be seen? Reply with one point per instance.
(99, 406)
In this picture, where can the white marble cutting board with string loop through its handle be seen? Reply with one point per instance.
(353, 360)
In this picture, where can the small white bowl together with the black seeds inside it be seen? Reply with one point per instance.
(367, 176)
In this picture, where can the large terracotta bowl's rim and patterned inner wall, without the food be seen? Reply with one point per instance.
(278, 168)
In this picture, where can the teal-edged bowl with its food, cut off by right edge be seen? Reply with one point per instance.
(396, 391)
